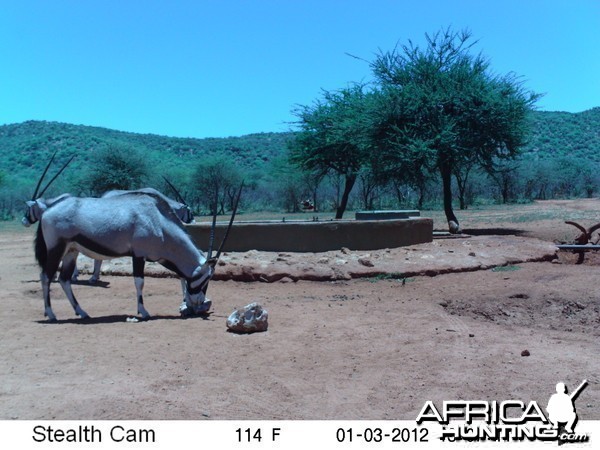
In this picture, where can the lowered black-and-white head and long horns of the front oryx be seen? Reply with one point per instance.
(195, 300)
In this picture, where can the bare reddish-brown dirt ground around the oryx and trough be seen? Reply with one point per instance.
(362, 346)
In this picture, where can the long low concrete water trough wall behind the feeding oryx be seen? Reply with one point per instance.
(316, 236)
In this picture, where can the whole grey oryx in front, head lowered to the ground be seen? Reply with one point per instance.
(135, 224)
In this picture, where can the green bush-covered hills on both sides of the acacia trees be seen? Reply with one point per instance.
(25, 147)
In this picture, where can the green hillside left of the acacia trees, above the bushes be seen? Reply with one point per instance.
(26, 147)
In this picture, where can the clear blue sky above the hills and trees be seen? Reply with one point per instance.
(232, 67)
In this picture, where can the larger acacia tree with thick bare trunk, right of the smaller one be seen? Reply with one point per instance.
(444, 104)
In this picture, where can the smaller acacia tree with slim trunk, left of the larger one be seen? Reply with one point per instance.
(335, 137)
